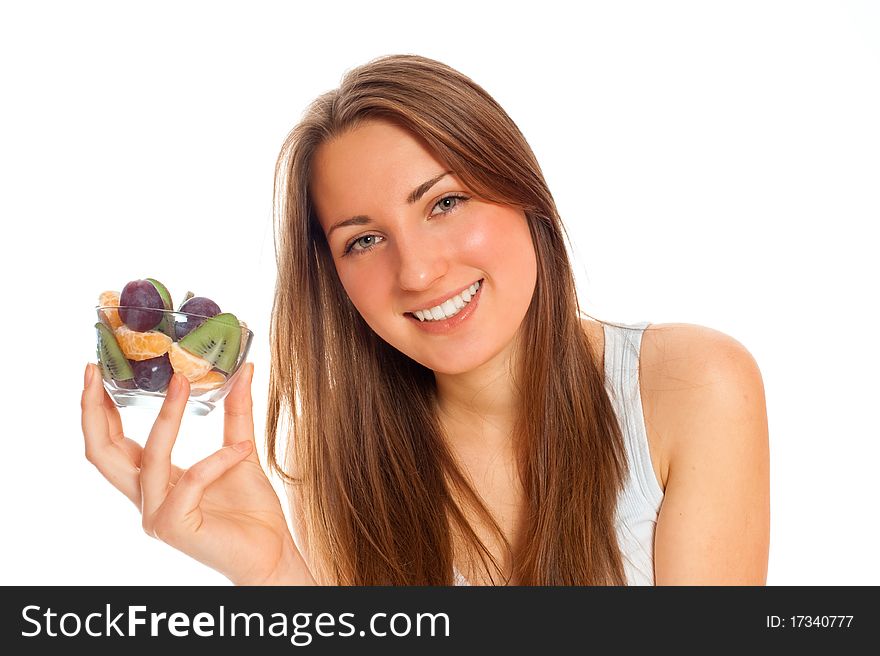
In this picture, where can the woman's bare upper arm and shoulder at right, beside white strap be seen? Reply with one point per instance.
(714, 523)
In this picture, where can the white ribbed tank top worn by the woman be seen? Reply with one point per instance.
(639, 502)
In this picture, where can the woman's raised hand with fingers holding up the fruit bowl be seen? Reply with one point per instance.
(222, 511)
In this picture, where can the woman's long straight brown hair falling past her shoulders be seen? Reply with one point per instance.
(363, 453)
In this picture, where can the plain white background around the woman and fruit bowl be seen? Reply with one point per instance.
(715, 163)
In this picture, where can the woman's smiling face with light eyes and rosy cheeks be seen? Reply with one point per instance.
(406, 238)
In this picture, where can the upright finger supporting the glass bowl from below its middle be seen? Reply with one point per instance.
(156, 458)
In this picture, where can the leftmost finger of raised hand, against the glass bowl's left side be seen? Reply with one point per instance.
(114, 464)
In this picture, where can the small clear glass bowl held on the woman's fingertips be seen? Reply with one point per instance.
(142, 380)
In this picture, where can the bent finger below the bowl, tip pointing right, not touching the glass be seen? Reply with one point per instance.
(183, 501)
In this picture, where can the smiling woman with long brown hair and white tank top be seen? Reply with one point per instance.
(438, 408)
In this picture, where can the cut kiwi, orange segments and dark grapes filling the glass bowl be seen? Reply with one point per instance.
(142, 340)
